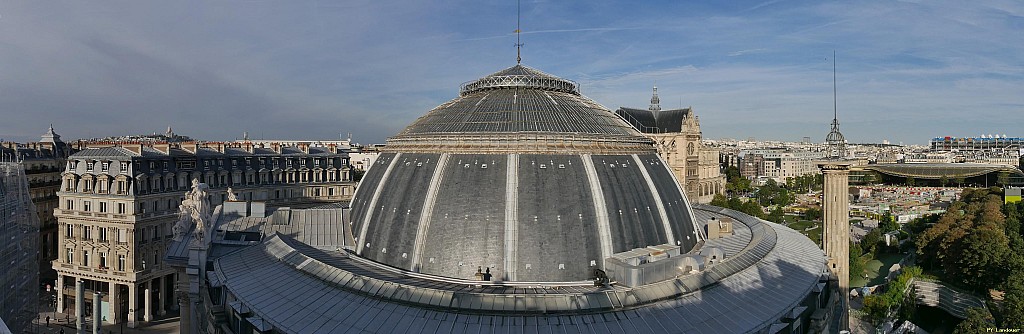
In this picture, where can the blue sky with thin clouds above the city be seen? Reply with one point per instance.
(908, 71)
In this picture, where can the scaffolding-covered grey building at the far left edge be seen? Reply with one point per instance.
(19, 249)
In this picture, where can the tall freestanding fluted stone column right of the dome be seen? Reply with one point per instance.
(836, 229)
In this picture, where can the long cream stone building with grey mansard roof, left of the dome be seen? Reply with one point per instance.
(118, 203)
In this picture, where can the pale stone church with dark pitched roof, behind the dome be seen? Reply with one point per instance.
(677, 137)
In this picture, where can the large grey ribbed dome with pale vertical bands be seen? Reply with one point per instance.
(523, 176)
